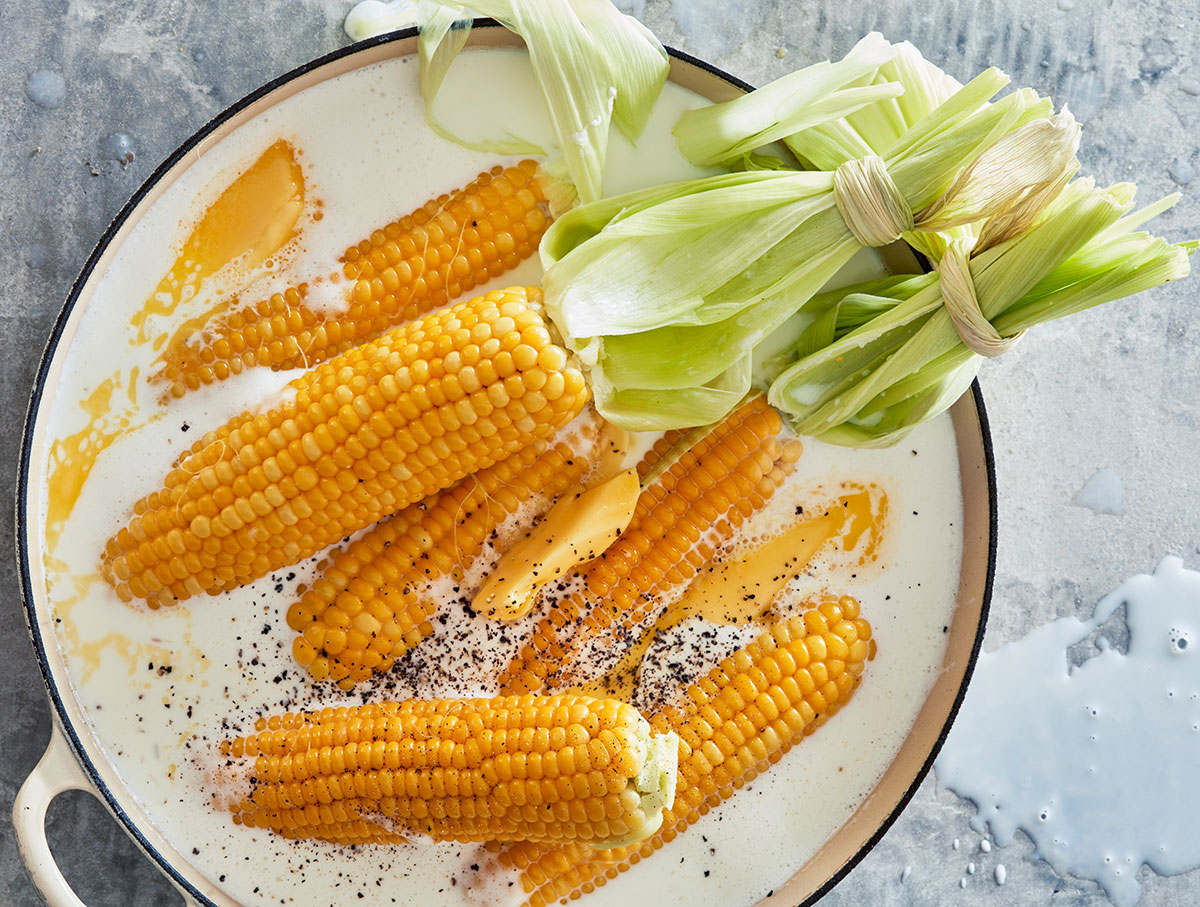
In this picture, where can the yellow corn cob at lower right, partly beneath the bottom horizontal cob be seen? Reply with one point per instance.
(735, 723)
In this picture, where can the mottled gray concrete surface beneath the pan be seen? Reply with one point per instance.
(1117, 389)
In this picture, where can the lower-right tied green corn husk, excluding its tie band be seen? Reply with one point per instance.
(879, 358)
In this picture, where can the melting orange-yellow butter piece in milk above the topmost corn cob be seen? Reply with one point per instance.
(249, 223)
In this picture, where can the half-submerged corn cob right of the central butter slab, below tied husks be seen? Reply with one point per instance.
(707, 494)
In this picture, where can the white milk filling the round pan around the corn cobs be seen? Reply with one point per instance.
(160, 688)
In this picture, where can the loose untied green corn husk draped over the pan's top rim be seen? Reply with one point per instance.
(595, 65)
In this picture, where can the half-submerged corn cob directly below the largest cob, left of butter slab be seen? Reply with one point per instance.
(367, 611)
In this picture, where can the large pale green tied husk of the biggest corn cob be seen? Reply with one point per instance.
(667, 293)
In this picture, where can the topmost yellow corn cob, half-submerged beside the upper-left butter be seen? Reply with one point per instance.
(441, 251)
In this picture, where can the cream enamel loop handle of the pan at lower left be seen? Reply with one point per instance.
(56, 773)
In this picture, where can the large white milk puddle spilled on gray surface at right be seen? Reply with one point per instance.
(1095, 764)
